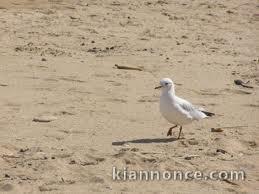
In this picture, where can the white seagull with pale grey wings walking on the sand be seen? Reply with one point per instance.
(177, 110)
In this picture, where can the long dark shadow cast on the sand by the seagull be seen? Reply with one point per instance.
(145, 140)
